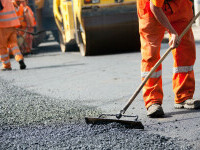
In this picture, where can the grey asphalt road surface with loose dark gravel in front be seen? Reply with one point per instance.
(44, 106)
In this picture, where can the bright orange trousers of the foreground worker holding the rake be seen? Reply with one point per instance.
(151, 35)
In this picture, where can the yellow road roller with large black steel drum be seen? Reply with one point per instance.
(97, 26)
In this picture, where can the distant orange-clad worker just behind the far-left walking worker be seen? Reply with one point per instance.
(28, 23)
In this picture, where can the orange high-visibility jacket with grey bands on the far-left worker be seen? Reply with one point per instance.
(8, 16)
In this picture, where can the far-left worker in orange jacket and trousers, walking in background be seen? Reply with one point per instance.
(8, 36)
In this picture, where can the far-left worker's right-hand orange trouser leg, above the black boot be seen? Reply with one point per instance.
(14, 46)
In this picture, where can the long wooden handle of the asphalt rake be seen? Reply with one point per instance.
(157, 64)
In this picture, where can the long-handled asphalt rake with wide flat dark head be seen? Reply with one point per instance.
(135, 123)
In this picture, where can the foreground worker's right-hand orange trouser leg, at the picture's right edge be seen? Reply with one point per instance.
(184, 59)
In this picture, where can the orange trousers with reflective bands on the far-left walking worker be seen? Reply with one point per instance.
(8, 38)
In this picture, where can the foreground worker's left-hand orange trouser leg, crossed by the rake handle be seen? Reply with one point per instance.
(151, 35)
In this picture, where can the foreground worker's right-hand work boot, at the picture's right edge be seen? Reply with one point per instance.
(188, 104)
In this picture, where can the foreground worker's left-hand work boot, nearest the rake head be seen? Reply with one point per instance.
(155, 111)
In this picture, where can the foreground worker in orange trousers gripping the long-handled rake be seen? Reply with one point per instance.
(156, 17)
